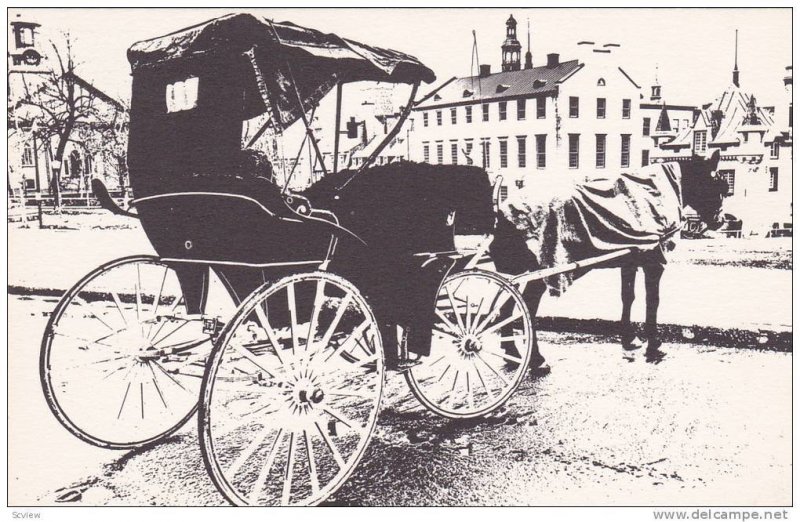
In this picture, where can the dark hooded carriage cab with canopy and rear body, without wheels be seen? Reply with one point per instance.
(198, 193)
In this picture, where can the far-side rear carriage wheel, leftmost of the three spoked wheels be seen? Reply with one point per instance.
(121, 362)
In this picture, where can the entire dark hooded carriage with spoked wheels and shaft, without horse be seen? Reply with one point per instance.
(288, 385)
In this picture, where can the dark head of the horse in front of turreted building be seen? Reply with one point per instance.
(703, 189)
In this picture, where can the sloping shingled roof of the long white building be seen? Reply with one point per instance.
(508, 84)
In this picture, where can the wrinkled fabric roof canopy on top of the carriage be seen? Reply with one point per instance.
(286, 56)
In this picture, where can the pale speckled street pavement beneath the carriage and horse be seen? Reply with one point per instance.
(601, 429)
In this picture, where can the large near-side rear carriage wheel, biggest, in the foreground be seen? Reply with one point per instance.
(292, 392)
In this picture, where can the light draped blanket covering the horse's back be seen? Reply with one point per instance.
(567, 221)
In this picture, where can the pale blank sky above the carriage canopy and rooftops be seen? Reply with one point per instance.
(693, 48)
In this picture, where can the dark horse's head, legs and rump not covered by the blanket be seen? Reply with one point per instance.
(701, 189)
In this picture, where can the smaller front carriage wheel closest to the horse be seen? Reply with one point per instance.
(480, 347)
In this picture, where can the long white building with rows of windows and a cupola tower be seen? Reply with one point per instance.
(580, 117)
